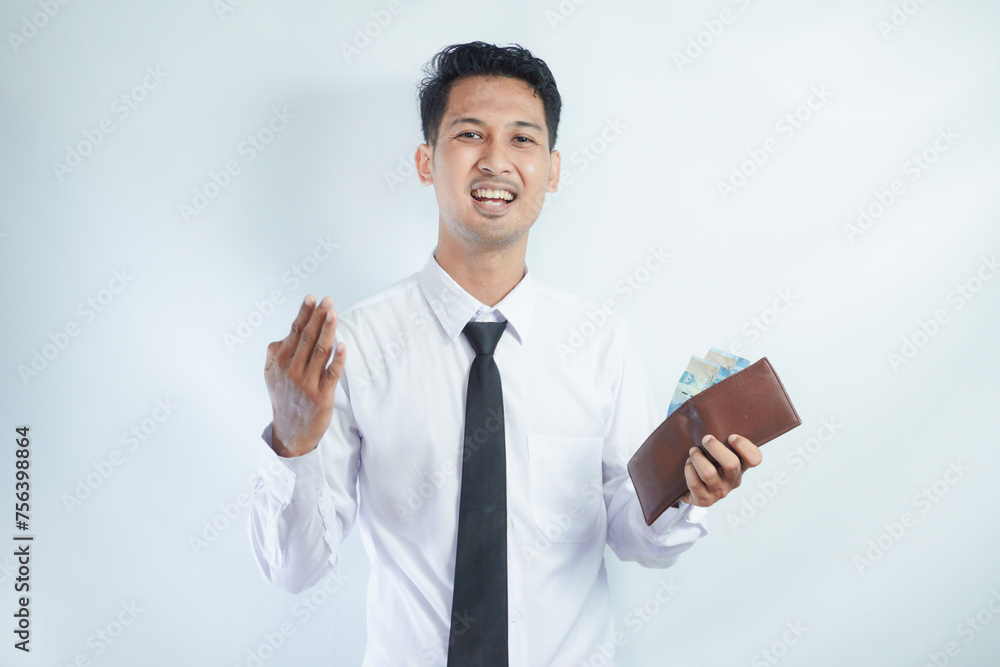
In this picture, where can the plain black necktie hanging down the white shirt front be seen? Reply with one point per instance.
(479, 605)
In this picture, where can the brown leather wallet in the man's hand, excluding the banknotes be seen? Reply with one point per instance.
(752, 403)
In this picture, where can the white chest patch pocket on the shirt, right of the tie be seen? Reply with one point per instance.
(567, 497)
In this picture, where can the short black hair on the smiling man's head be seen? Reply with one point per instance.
(480, 58)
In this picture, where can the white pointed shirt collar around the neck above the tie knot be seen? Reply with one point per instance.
(454, 307)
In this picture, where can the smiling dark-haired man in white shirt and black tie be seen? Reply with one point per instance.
(396, 431)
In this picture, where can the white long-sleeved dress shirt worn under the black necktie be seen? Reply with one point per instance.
(575, 409)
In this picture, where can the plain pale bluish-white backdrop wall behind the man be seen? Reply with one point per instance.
(176, 177)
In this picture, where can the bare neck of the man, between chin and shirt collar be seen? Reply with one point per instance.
(487, 273)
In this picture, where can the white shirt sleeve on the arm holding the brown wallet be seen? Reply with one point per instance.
(633, 418)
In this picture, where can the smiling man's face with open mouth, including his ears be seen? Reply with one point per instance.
(492, 137)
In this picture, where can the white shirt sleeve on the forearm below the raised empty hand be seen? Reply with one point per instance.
(304, 506)
